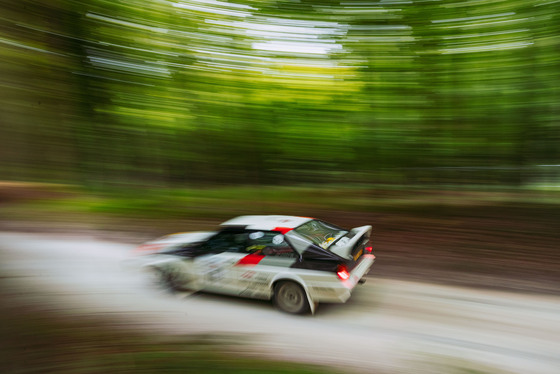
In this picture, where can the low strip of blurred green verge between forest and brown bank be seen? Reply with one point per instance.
(174, 209)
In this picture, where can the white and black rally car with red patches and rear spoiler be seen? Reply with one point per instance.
(297, 262)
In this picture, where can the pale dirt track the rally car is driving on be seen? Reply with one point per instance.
(389, 326)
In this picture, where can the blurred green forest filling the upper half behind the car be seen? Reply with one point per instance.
(276, 92)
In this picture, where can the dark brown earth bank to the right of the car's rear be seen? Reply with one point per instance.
(512, 249)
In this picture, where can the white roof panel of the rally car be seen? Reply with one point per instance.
(267, 222)
